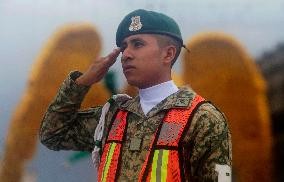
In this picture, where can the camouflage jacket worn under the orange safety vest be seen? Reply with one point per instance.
(207, 142)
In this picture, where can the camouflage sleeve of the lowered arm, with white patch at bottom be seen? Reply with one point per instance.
(211, 150)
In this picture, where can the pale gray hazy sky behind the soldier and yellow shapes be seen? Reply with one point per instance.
(26, 26)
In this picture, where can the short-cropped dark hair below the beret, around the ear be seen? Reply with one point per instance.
(164, 40)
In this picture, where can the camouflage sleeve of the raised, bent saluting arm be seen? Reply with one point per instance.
(64, 127)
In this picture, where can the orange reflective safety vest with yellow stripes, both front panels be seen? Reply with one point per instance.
(164, 160)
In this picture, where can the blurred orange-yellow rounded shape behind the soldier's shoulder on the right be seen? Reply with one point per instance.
(220, 69)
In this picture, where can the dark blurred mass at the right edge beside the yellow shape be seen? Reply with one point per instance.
(272, 66)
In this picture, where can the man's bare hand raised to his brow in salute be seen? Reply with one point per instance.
(98, 69)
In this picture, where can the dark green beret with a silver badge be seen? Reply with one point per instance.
(147, 22)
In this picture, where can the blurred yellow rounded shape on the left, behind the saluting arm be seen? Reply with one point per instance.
(72, 47)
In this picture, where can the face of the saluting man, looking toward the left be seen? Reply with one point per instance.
(142, 60)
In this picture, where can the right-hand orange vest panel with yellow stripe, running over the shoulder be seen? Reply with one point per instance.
(169, 134)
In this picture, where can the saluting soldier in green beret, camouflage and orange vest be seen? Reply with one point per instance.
(164, 133)
